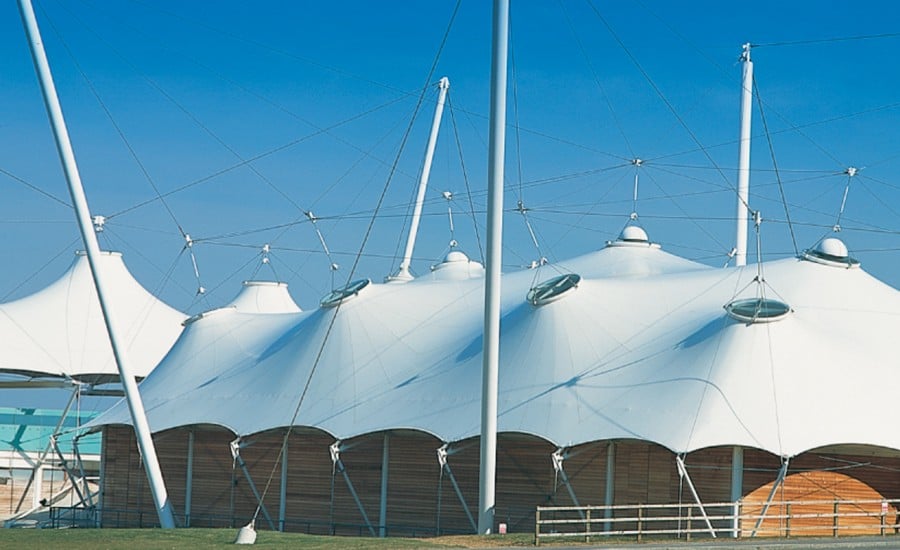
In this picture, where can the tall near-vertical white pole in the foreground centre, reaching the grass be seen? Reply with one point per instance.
(496, 156)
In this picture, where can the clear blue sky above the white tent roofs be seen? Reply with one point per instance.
(321, 95)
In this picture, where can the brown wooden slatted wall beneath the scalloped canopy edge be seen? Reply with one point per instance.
(420, 501)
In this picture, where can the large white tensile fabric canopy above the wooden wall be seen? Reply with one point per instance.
(641, 346)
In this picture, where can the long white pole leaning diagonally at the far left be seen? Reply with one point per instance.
(67, 156)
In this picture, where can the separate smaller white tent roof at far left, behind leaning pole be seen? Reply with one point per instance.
(59, 331)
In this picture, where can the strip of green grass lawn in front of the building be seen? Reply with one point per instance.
(139, 539)
